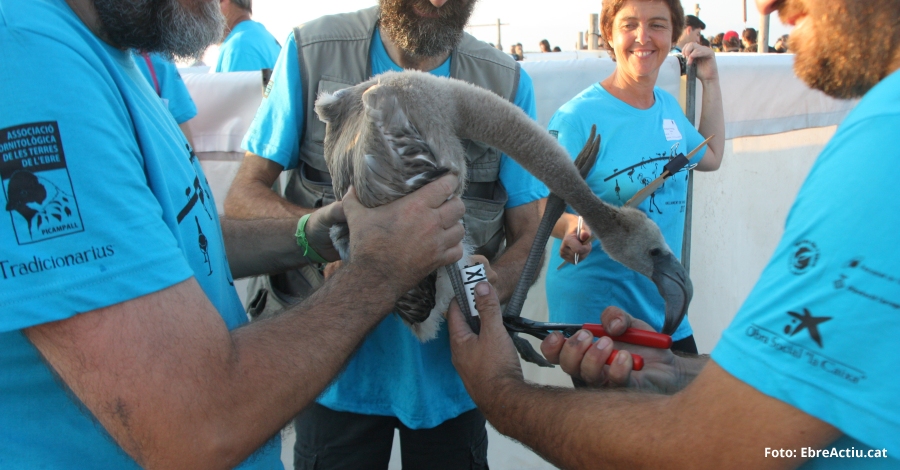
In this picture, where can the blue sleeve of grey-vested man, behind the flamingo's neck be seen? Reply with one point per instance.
(521, 185)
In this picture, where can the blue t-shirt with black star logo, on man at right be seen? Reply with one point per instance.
(819, 330)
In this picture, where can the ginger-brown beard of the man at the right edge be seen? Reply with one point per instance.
(840, 56)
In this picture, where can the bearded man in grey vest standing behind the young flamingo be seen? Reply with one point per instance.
(394, 381)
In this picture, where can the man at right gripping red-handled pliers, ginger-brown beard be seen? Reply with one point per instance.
(806, 373)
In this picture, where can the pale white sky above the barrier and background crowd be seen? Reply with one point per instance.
(528, 21)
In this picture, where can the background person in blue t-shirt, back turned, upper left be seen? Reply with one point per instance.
(248, 45)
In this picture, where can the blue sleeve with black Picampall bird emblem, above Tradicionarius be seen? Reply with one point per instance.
(82, 228)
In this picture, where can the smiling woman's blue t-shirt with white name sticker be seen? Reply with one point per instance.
(635, 145)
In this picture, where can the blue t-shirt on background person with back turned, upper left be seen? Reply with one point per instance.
(249, 47)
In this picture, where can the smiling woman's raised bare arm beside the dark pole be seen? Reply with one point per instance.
(712, 115)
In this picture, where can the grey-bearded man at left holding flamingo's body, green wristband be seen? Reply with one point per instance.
(123, 343)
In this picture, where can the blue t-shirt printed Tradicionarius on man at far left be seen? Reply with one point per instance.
(104, 202)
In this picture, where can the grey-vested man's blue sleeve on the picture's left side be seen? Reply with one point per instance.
(275, 131)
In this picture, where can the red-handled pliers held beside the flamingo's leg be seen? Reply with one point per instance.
(635, 336)
